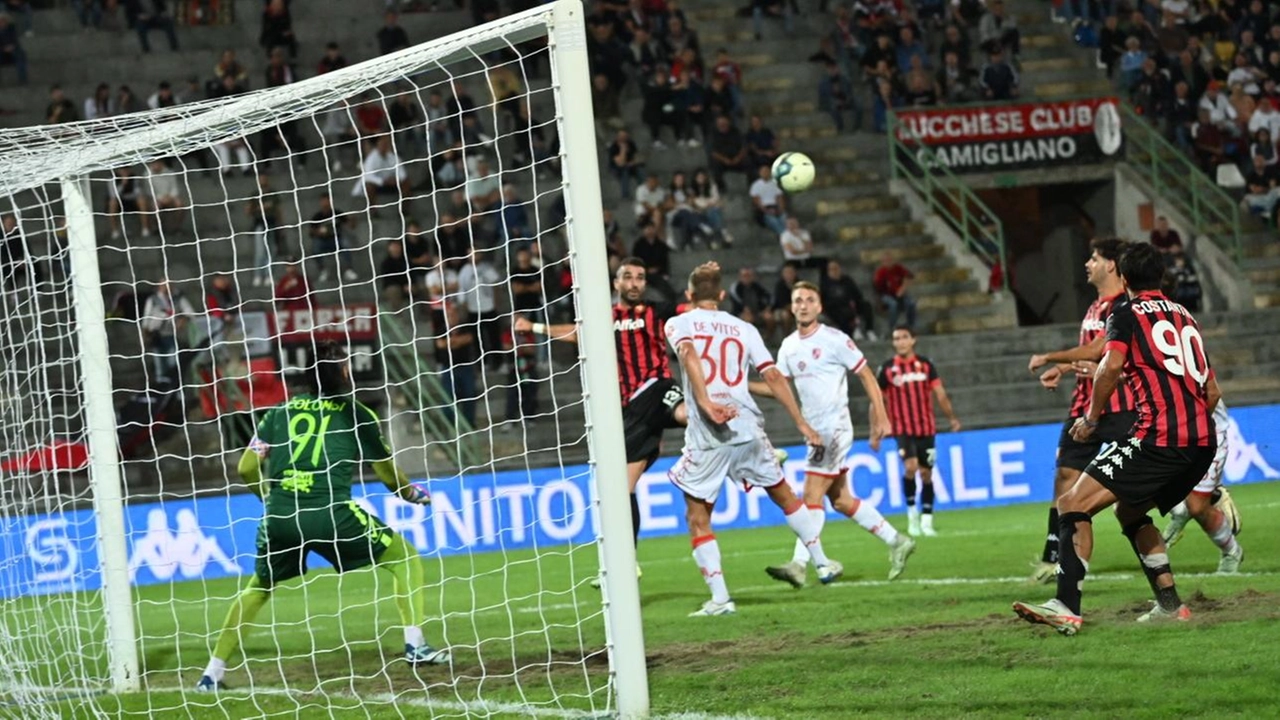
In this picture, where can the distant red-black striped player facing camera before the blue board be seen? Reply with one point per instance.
(911, 384)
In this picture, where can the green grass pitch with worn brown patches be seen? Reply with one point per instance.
(940, 642)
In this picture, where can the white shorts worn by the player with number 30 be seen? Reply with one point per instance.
(701, 473)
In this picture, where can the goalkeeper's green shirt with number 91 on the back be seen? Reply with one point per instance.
(313, 446)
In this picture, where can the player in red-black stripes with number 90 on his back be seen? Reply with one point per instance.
(1155, 345)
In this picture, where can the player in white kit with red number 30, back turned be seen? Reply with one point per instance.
(725, 436)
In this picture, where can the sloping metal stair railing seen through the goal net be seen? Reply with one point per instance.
(424, 393)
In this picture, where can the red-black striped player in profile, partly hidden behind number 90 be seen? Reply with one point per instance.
(1073, 457)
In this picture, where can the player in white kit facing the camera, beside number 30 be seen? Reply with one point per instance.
(820, 358)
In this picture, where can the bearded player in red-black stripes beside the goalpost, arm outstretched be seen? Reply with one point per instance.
(652, 402)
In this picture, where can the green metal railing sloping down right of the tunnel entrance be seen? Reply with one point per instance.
(1180, 181)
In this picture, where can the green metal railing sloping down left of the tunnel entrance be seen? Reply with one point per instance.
(949, 198)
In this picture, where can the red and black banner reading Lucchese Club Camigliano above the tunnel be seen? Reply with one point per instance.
(1014, 138)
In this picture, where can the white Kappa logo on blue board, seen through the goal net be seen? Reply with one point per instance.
(186, 552)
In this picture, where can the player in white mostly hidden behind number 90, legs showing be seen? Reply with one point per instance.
(1212, 505)
